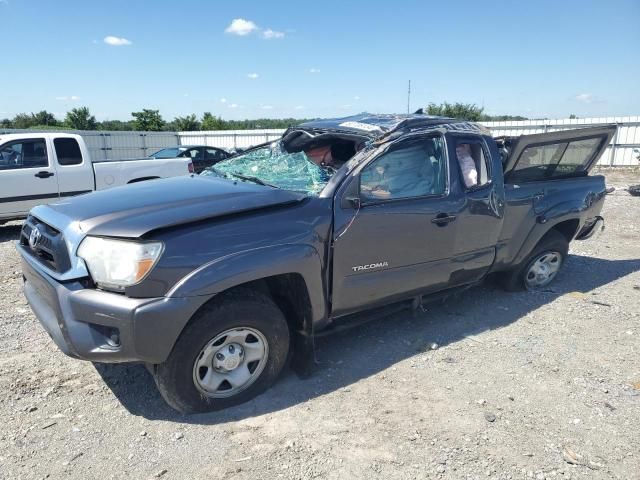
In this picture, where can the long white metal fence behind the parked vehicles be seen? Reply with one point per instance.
(624, 149)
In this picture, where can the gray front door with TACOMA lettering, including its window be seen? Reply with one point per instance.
(398, 241)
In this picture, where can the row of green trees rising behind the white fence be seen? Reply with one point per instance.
(151, 120)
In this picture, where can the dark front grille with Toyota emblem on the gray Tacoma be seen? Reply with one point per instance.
(50, 249)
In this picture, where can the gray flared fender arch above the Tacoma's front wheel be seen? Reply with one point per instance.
(238, 268)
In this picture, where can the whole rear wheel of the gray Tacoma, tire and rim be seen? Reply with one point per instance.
(542, 265)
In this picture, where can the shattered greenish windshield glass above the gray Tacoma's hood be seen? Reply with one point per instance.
(273, 166)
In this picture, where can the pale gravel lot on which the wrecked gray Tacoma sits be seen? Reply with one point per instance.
(525, 385)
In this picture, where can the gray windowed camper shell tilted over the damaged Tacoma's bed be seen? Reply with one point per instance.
(563, 154)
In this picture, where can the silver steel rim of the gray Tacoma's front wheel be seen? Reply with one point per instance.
(230, 362)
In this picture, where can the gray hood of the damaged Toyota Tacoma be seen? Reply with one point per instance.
(134, 210)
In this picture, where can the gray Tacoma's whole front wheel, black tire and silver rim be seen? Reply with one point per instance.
(239, 322)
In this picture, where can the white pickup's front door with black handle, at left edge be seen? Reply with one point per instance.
(27, 176)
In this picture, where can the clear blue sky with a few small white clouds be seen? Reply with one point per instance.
(252, 59)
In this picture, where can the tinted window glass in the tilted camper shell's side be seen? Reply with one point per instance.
(543, 162)
